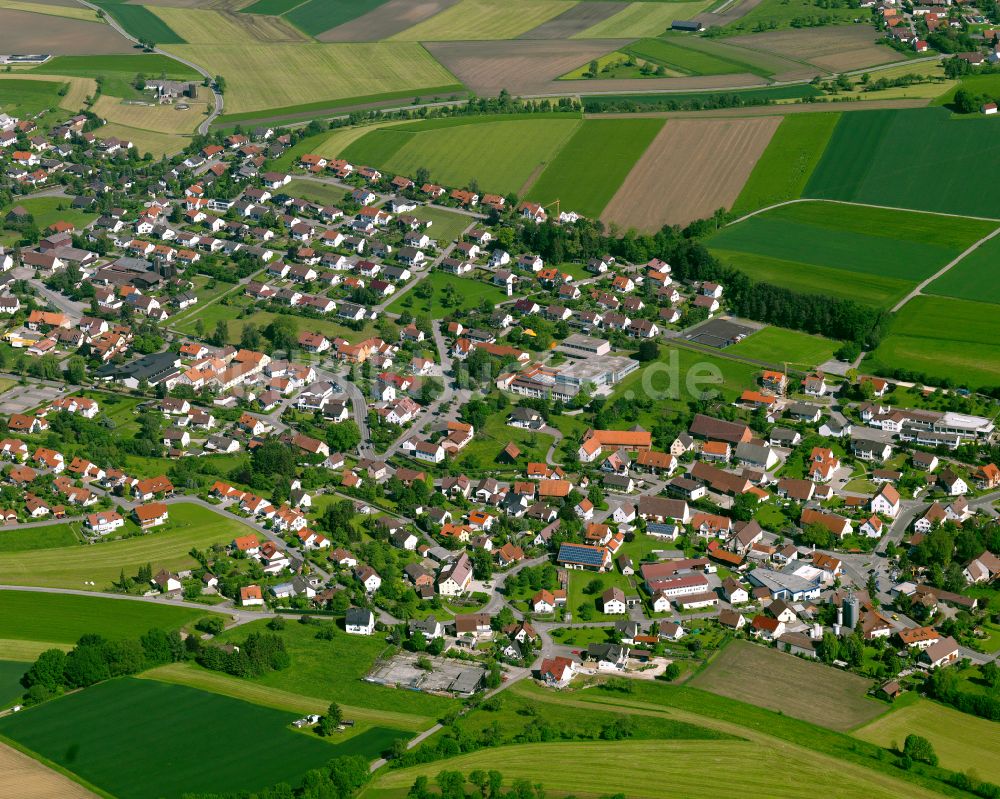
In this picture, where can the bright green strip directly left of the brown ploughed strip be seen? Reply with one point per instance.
(590, 168)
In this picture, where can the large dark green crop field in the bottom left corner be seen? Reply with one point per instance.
(93, 734)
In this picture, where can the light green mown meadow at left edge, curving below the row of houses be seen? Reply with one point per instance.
(165, 548)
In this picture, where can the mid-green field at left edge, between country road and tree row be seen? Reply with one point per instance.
(63, 618)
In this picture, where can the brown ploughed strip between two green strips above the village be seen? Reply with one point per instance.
(691, 169)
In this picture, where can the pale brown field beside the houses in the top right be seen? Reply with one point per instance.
(832, 48)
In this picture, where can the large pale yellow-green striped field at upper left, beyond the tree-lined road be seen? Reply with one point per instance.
(267, 76)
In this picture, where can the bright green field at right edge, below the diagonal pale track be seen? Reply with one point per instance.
(944, 339)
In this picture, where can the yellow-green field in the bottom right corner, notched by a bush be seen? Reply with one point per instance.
(962, 742)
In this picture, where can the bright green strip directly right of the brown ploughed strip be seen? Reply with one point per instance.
(786, 165)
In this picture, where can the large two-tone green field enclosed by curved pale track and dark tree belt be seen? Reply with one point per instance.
(870, 254)
